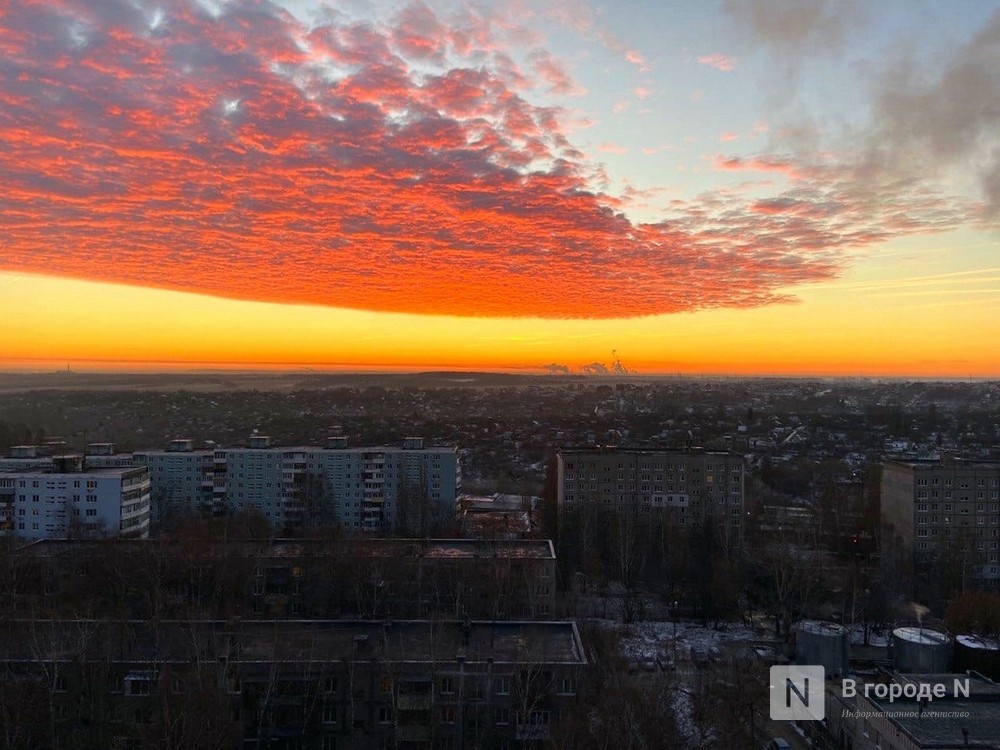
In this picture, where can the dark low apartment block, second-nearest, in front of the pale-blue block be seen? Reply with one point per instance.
(296, 578)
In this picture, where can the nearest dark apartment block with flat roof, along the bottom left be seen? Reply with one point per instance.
(366, 685)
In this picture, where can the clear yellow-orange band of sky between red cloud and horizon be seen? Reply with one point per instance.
(872, 322)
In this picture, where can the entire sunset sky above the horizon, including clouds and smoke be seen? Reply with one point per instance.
(743, 187)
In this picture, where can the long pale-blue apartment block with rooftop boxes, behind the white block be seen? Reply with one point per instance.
(383, 488)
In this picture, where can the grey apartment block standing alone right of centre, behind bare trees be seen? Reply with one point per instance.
(680, 485)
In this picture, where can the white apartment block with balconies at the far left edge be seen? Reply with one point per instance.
(66, 499)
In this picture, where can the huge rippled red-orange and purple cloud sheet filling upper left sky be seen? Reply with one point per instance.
(243, 155)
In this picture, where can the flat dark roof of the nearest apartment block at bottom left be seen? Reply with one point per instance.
(292, 641)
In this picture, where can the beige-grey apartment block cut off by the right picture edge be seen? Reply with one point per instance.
(947, 504)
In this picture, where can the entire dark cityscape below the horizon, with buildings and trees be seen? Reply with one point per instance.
(473, 560)
